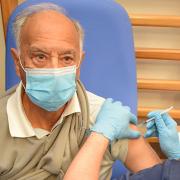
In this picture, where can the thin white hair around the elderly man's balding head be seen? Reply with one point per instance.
(33, 9)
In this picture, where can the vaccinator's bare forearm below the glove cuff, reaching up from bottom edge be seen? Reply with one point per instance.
(86, 164)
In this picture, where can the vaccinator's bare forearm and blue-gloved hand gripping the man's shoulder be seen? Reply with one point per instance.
(108, 127)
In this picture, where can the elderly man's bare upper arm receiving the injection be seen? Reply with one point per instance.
(140, 154)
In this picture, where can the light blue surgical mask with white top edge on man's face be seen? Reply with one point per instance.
(50, 88)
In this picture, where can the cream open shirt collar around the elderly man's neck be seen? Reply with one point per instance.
(20, 126)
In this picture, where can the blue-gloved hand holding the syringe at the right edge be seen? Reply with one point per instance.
(165, 128)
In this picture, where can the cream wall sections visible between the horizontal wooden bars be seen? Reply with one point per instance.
(161, 37)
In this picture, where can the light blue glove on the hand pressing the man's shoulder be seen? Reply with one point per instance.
(113, 121)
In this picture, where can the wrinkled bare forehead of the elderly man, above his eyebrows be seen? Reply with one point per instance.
(49, 25)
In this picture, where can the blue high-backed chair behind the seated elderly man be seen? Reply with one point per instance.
(109, 68)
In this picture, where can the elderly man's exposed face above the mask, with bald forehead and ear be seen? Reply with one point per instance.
(48, 40)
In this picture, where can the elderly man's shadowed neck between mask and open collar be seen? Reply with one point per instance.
(38, 117)
